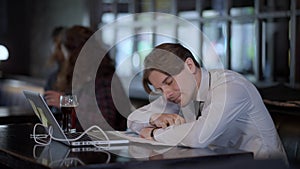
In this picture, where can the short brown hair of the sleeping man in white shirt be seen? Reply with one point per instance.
(167, 58)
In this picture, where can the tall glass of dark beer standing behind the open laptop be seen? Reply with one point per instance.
(68, 103)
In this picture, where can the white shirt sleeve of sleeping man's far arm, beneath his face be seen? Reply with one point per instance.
(139, 118)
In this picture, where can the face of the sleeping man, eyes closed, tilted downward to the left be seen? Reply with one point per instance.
(180, 89)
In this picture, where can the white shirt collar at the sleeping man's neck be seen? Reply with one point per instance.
(204, 85)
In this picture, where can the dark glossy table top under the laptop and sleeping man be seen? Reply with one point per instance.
(19, 150)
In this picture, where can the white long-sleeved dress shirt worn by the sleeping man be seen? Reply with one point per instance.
(233, 115)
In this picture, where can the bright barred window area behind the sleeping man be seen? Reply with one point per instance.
(244, 34)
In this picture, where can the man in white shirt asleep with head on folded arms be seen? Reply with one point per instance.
(232, 114)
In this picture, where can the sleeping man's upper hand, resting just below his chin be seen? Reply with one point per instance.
(165, 120)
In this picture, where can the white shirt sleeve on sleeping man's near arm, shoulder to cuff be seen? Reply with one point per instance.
(224, 105)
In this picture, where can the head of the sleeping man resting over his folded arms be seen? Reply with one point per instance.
(172, 69)
